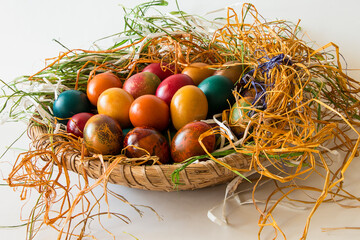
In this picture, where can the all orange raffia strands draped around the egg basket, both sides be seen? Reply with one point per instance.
(278, 130)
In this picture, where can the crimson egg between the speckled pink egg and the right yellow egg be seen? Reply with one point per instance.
(170, 85)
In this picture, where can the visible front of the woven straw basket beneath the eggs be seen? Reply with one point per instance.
(150, 177)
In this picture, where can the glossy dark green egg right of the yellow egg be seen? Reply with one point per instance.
(218, 90)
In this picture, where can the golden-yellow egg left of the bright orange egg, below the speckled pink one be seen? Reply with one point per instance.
(116, 102)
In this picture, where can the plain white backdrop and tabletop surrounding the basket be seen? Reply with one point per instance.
(27, 29)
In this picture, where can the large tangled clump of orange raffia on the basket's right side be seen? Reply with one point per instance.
(289, 87)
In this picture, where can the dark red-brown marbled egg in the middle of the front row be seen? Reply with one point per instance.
(149, 139)
